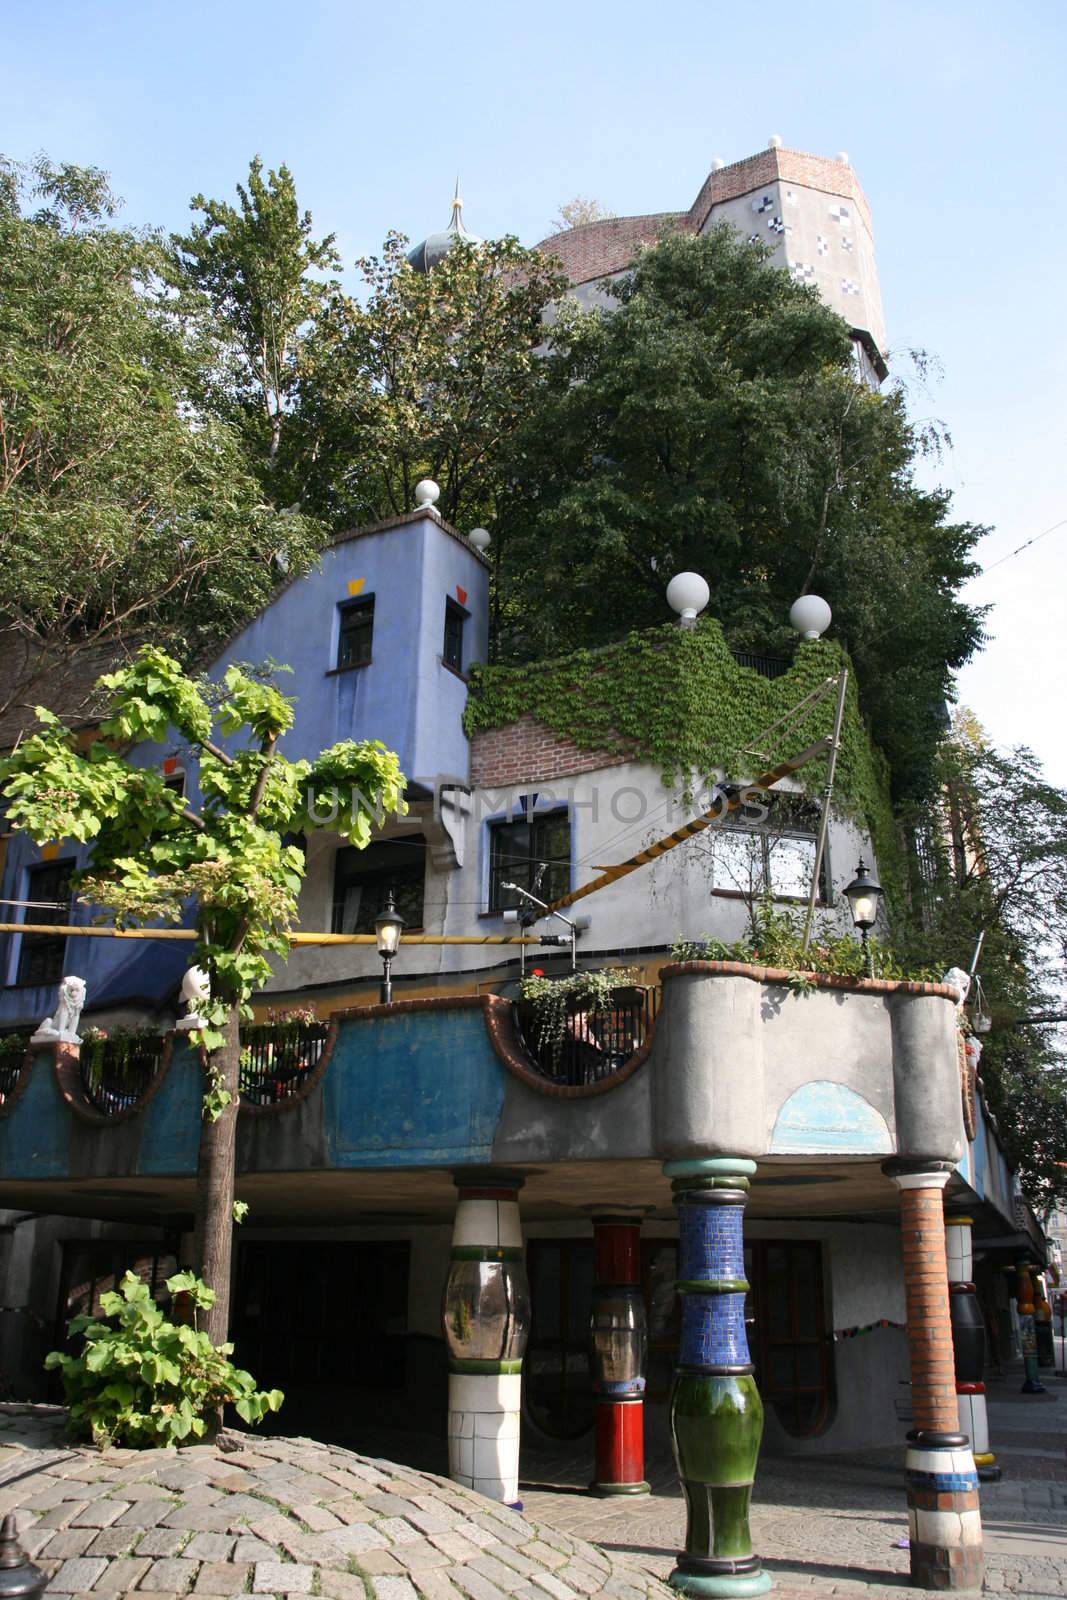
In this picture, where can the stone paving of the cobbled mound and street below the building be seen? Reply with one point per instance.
(270, 1516)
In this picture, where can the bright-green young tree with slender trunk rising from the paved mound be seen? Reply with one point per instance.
(153, 854)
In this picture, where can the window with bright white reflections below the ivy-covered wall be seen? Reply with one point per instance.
(773, 855)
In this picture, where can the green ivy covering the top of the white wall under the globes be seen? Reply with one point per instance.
(677, 700)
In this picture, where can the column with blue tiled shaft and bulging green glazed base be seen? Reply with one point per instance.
(716, 1410)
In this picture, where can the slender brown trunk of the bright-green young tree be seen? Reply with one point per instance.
(215, 1180)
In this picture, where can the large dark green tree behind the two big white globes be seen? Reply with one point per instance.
(714, 422)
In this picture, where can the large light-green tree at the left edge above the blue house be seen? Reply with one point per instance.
(126, 510)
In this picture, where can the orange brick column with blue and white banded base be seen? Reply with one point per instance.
(943, 1508)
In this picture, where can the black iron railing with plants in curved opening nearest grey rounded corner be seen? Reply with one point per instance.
(597, 1042)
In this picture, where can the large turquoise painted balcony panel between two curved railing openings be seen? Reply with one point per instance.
(412, 1090)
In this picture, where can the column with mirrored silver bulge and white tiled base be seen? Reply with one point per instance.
(487, 1324)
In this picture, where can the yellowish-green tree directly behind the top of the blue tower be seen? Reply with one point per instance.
(430, 377)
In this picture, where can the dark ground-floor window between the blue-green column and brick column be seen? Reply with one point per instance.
(789, 1346)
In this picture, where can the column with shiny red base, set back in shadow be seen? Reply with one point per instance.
(620, 1356)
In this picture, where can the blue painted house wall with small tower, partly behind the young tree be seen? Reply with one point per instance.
(406, 697)
